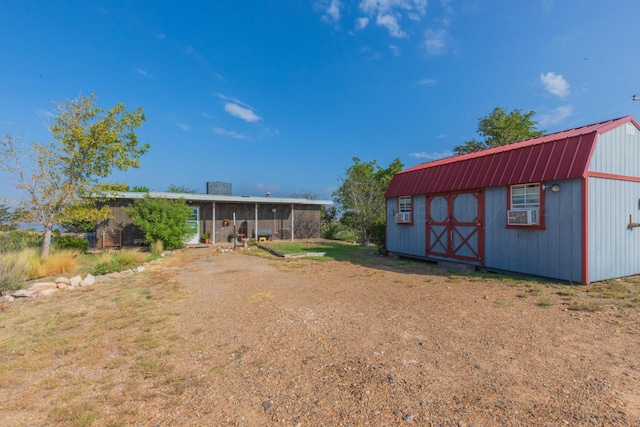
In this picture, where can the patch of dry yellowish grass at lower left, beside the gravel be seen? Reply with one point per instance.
(58, 347)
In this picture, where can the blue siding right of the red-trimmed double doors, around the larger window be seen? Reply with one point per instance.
(554, 252)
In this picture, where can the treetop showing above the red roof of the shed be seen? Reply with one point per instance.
(501, 128)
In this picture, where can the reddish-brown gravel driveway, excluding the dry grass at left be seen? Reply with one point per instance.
(301, 342)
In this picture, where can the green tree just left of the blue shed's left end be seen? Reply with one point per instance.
(361, 194)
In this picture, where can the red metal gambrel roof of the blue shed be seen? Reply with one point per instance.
(560, 155)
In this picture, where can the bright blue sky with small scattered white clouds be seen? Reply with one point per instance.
(278, 96)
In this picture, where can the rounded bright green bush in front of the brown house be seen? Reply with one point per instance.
(162, 220)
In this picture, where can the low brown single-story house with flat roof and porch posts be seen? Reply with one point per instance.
(220, 216)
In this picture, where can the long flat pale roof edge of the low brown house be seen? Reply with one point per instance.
(221, 198)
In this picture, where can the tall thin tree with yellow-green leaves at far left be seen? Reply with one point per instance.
(88, 145)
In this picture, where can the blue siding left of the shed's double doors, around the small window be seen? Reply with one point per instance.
(407, 239)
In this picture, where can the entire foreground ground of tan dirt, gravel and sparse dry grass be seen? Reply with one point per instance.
(216, 339)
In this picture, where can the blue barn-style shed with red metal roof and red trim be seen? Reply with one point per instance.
(564, 206)
